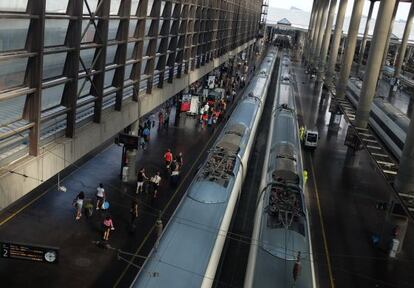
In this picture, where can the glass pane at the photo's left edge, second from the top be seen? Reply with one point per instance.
(13, 33)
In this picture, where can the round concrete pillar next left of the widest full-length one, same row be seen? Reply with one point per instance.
(350, 48)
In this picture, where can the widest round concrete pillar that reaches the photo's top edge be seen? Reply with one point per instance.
(373, 67)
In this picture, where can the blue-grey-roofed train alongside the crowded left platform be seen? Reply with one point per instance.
(191, 245)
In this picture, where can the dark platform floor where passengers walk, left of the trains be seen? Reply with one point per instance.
(48, 217)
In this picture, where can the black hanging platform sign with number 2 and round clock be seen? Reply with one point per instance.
(30, 253)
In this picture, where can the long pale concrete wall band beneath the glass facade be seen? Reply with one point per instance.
(60, 153)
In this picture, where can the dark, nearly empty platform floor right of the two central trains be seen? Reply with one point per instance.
(342, 200)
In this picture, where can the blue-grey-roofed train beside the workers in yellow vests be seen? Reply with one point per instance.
(280, 252)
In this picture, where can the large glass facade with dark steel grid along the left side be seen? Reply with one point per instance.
(63, 62)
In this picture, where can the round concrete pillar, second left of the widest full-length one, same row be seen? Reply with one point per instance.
(336, 41)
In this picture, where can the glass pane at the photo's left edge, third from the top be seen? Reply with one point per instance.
(12, 73)
